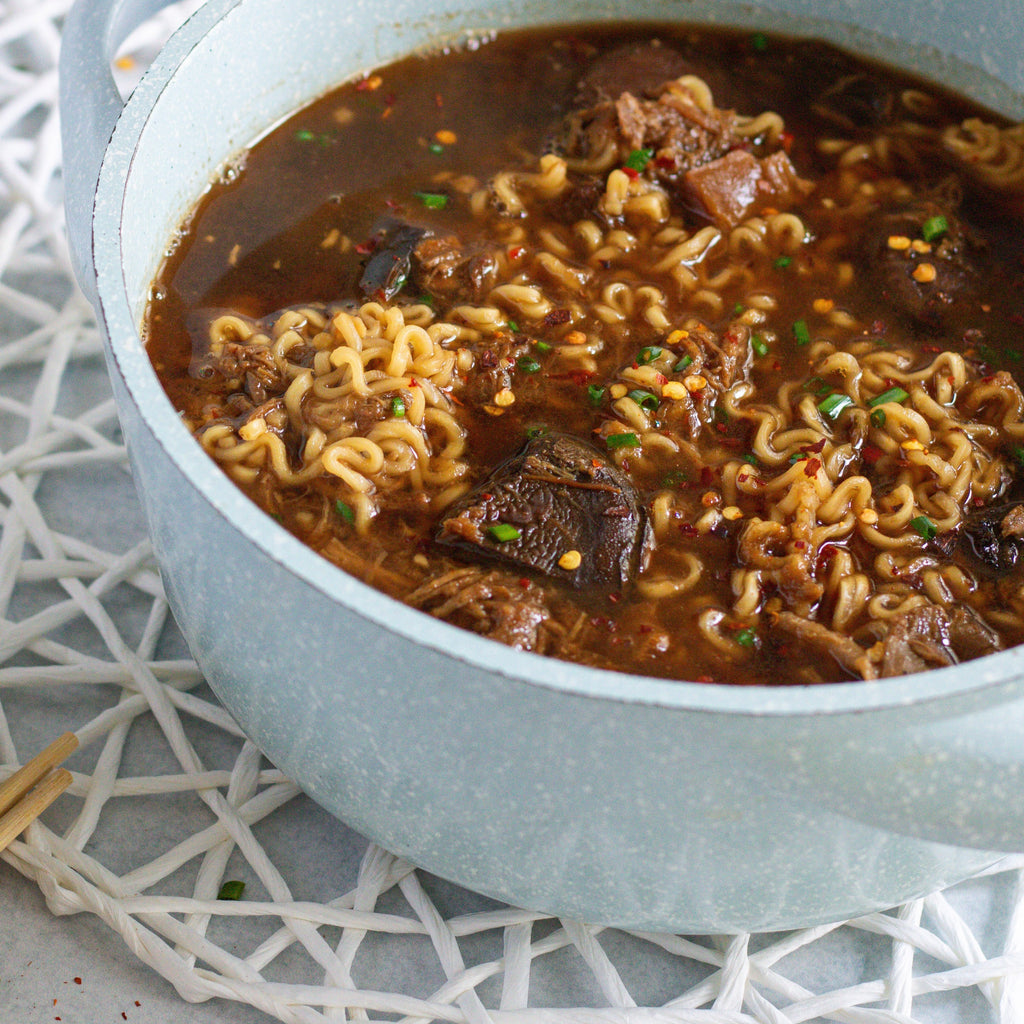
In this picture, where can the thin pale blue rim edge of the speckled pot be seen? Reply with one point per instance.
(987, 675)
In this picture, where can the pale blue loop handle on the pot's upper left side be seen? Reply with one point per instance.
(91, 106)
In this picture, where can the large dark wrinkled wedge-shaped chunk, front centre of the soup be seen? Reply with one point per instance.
(560, 495)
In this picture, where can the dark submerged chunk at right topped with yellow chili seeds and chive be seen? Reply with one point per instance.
(934, 284)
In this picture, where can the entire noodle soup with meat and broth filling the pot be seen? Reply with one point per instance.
(684, 352)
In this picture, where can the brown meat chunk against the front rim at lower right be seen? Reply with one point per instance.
(930, 636)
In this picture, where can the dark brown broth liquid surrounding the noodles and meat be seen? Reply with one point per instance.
(257, 244)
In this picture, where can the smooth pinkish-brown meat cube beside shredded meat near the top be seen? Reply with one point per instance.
(732, 189)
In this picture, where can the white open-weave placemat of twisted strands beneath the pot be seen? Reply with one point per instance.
(169, 800)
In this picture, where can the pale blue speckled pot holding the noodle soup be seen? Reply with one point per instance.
(607, 797)
